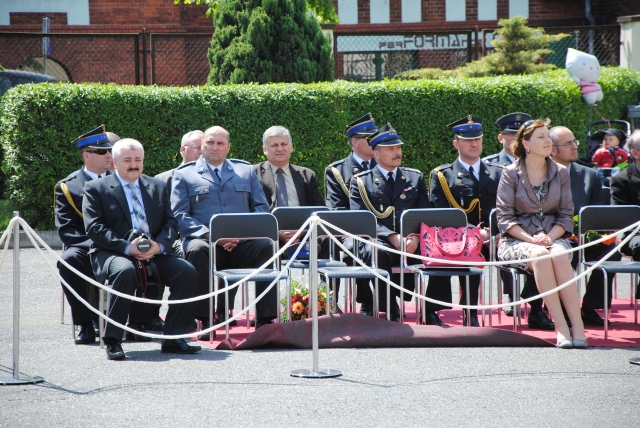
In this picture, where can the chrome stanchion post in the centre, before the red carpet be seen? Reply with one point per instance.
(313, 308)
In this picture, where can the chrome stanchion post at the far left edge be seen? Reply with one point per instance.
(17, 378)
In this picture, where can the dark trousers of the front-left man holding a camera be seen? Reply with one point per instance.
(178, 274)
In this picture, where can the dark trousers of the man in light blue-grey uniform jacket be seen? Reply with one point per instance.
(247, 254)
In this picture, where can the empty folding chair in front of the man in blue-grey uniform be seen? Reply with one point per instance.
(250, 226)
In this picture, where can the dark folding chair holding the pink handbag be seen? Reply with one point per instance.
(410, 222)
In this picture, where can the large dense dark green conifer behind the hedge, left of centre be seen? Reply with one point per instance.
(264, 41)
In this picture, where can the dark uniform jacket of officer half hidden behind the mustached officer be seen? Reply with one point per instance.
(337, 181)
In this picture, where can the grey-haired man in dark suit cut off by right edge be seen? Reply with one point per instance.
(625, 191)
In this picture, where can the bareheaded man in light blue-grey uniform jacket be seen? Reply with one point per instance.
(212, 185)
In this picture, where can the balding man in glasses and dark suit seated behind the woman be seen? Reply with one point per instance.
(585, 190)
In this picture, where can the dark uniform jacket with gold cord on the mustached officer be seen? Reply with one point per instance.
(409, 191)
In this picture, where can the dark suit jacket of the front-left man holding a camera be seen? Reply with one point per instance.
(107, 218)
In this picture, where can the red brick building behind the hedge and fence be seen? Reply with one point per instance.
(375, 38)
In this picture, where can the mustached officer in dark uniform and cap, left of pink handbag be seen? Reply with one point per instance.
(387, 190)
